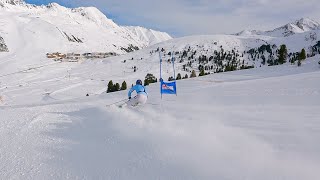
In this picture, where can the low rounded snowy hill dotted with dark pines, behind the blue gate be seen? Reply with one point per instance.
(216, 51)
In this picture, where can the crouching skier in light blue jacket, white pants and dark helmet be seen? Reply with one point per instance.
(141, 97)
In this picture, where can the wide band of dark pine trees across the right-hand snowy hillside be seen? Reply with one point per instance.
(198, 60)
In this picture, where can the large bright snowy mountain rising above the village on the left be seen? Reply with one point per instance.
(78, 29)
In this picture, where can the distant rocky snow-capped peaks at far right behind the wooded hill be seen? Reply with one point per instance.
(299, 26)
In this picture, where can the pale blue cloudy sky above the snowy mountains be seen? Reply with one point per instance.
(189, 17)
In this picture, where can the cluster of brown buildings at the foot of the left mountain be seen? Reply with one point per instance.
(76, 57)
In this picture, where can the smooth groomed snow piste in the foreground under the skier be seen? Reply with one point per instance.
(253, 124)
